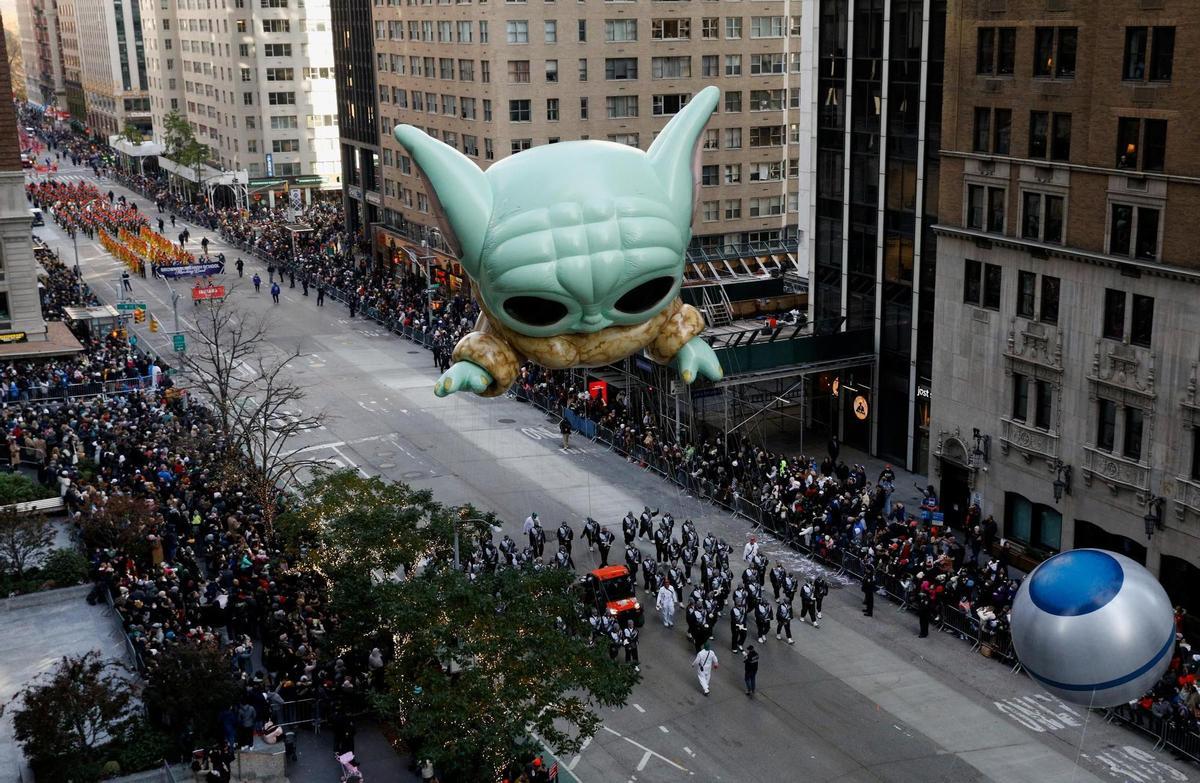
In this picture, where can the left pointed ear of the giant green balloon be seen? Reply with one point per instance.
(460, 193)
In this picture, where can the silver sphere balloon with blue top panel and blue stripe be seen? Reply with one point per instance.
(1094, 627)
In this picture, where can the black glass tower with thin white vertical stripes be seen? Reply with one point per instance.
(875, 202)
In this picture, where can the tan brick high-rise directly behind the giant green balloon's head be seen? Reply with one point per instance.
(495, 79)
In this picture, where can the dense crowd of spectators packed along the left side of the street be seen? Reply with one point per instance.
(176, 541)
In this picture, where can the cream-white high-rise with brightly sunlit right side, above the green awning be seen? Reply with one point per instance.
(256, 81)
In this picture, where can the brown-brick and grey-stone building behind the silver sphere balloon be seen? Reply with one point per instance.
(1067, 337)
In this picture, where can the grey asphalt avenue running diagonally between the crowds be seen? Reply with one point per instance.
(857, 700)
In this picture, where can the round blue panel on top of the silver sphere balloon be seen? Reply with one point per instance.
(1076, 583)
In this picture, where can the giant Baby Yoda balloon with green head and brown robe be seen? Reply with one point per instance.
(577, 252)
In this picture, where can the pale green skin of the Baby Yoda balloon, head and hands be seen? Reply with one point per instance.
(577, 223)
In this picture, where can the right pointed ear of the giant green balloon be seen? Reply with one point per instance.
(675, 154)
